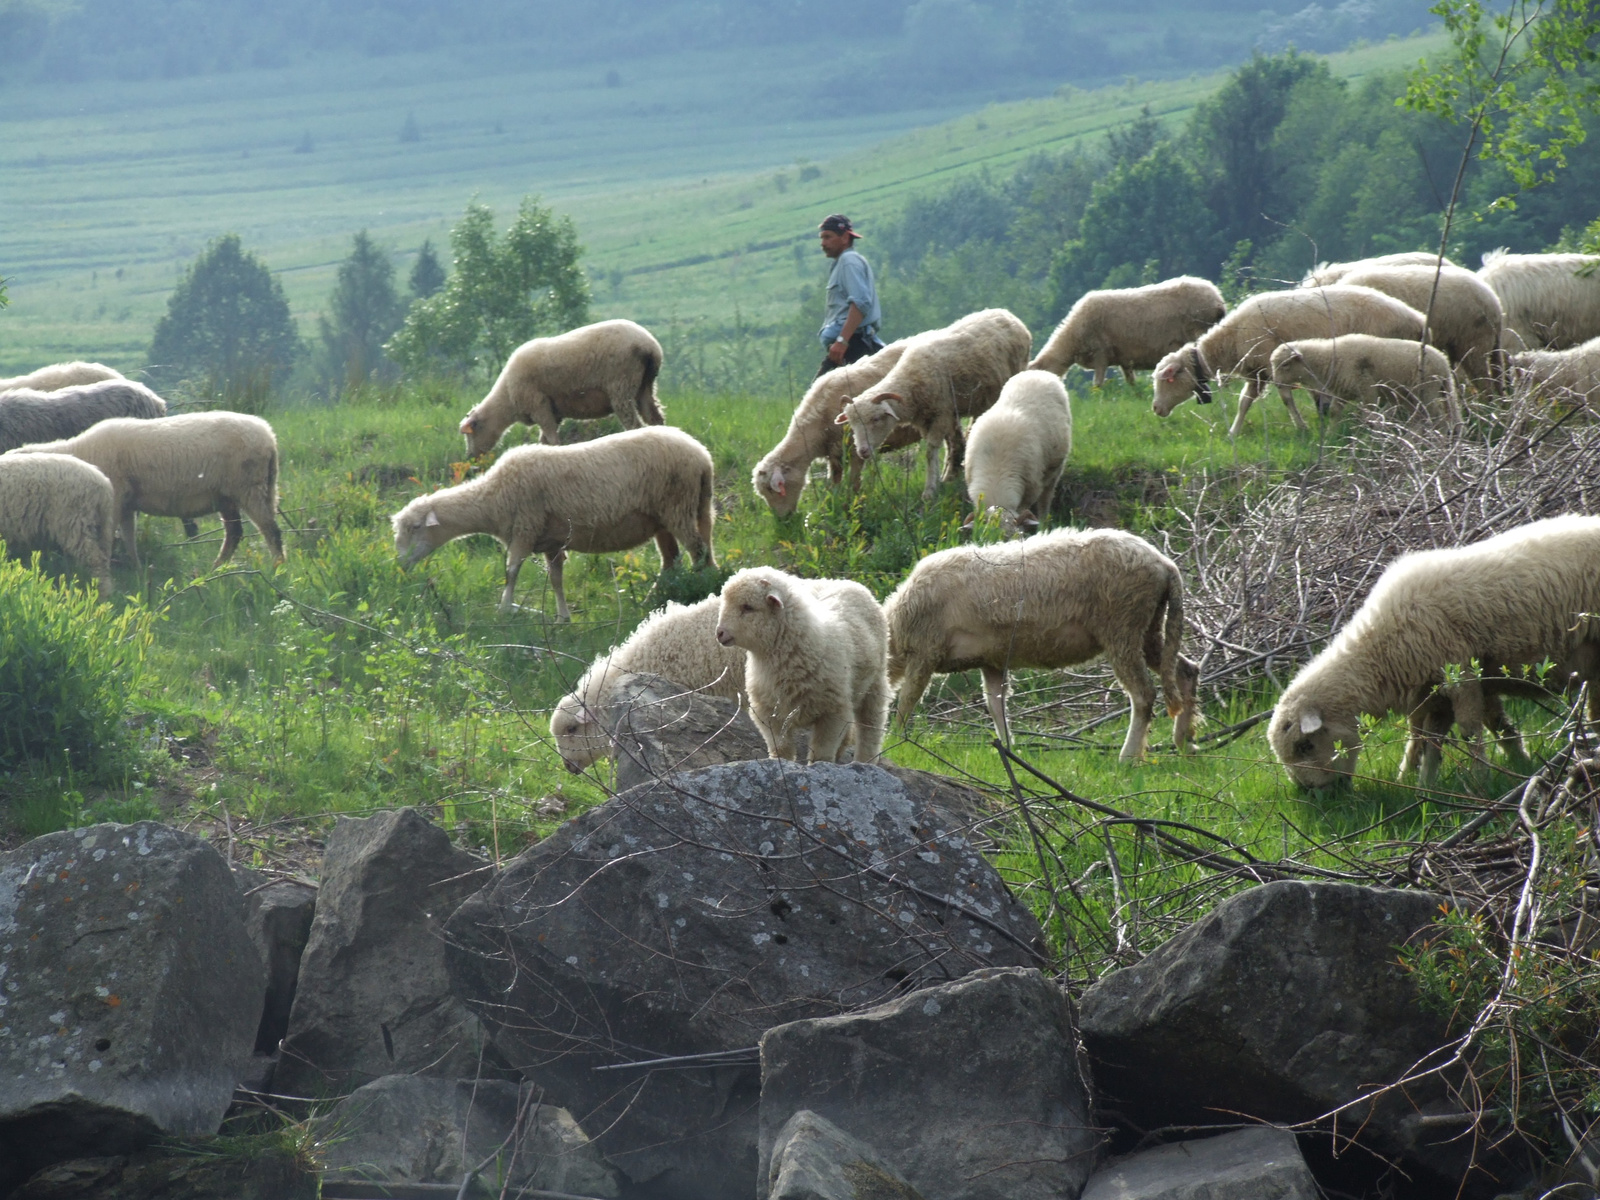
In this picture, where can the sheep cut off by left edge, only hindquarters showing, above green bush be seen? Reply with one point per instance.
(58, 500)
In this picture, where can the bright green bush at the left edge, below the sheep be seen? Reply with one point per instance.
(68, 670)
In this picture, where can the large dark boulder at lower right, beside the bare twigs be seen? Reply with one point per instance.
(1282, 1004)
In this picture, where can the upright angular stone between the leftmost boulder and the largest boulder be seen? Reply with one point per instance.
(374, 998)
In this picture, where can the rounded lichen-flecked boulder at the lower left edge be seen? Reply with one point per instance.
(129, 993)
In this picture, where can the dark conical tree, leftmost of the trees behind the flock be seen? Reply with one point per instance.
(228, 321)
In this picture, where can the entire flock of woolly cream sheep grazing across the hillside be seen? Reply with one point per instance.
(818, 662)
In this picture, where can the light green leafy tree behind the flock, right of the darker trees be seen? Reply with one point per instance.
(502, 294)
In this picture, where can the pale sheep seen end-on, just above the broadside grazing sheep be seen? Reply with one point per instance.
(1017, 450)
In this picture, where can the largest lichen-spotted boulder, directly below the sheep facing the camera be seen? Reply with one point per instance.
(689, 916)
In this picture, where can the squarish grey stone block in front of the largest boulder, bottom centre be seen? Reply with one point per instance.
(972, 1090)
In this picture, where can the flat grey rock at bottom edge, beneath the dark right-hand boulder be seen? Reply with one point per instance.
(1262, 1164)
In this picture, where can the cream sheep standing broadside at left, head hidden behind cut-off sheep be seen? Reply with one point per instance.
(186, 466)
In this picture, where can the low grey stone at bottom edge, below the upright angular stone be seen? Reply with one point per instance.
(414, 1129)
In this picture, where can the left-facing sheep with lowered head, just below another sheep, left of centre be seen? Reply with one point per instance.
(594, 498)
